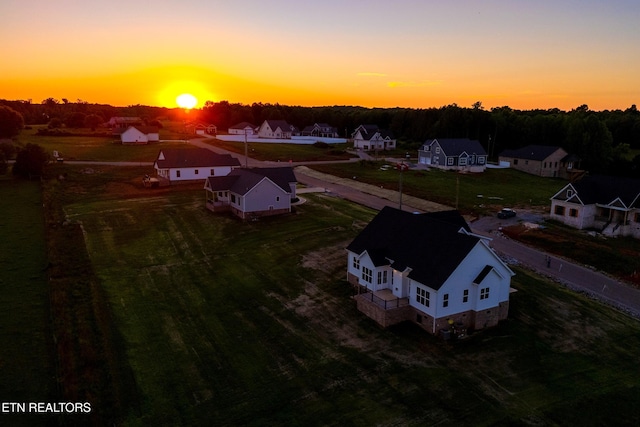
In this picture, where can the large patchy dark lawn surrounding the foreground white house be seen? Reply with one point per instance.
(230, 323)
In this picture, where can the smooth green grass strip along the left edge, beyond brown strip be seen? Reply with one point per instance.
(27, 368)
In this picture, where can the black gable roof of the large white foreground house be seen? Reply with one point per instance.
(429, 244)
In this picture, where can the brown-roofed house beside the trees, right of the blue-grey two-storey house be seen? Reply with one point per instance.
(542, 160)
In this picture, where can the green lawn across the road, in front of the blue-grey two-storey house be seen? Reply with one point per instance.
(476, 193)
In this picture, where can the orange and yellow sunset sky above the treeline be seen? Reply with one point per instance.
(374, 53)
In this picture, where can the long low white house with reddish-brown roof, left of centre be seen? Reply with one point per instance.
(191, 164)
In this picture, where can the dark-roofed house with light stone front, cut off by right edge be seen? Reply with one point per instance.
(610, 205)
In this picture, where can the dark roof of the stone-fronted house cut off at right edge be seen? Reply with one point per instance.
(606, 189)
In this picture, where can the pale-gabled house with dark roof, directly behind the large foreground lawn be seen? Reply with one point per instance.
(250, 193)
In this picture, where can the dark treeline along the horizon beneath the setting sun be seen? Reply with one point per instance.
(602, 139)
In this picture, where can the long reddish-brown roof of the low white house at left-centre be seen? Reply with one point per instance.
(169, 158)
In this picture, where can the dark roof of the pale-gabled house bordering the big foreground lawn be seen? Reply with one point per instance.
(240, 181)
